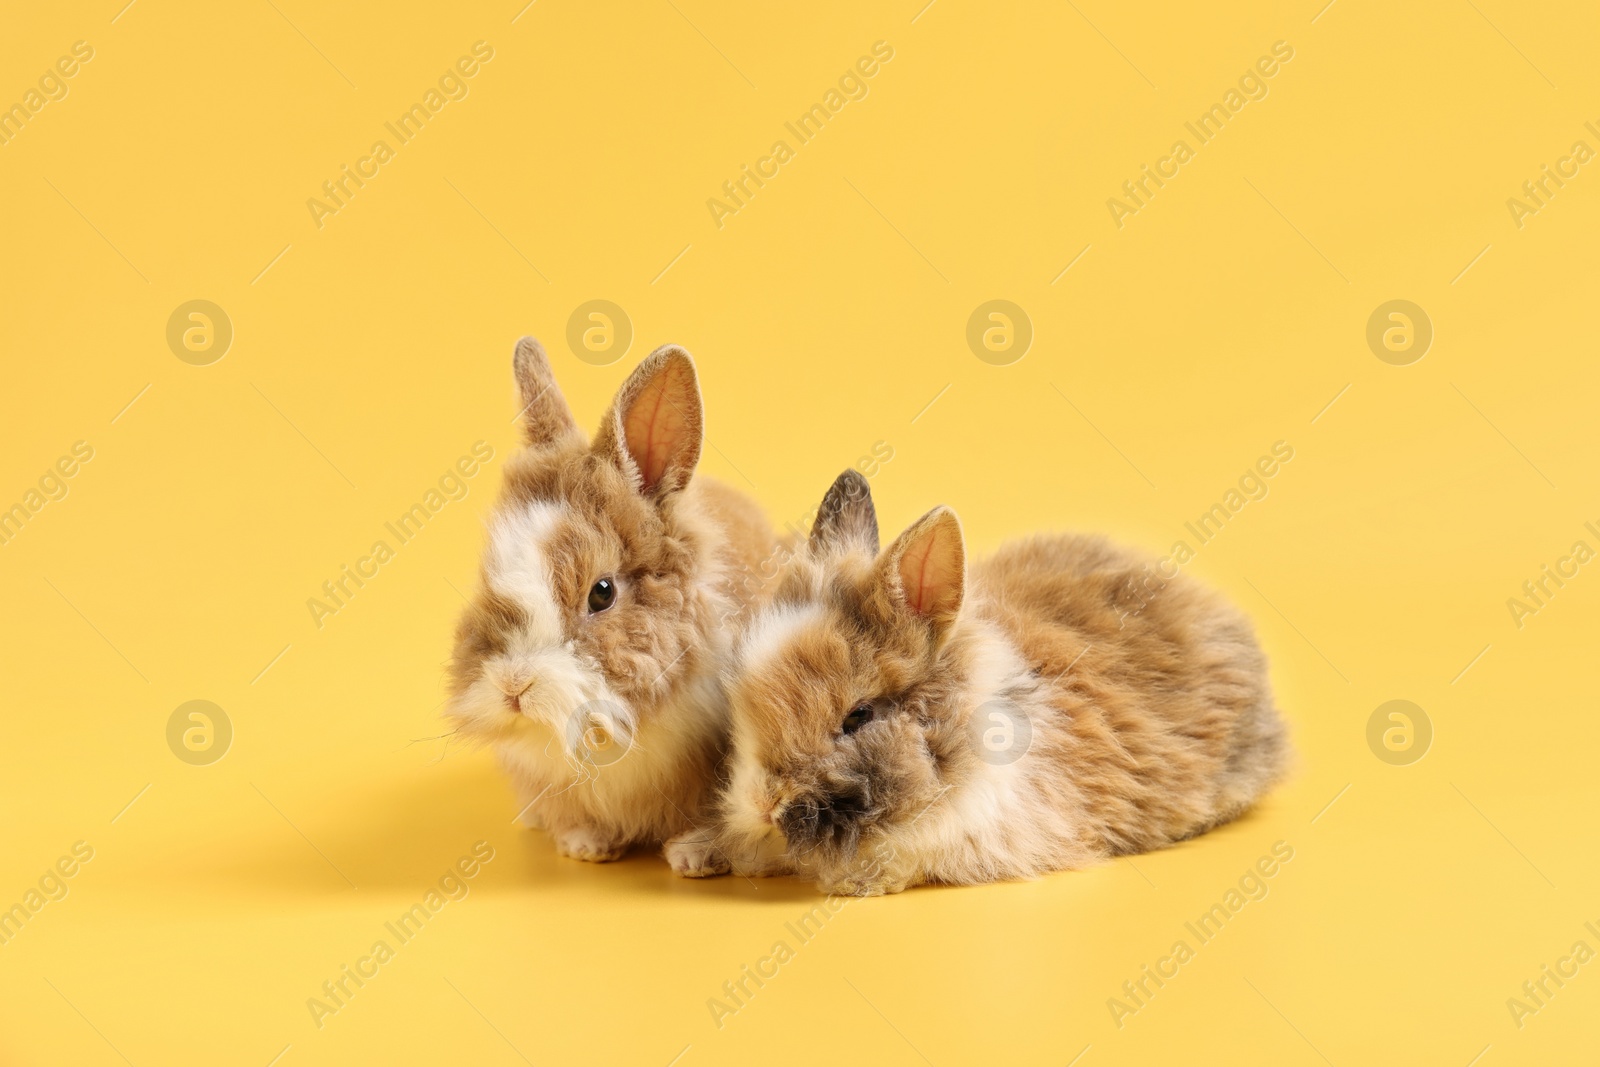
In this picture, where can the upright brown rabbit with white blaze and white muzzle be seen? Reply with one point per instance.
(612, 586)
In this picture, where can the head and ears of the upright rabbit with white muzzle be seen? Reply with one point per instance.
(598, 601)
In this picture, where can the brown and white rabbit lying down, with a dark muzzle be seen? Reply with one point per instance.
(900, 721)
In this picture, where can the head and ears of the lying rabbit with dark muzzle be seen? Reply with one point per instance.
(842, 689)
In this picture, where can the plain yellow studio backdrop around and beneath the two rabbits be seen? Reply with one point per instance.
(825, 318)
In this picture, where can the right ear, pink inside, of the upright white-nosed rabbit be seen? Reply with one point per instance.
(655, 428)
